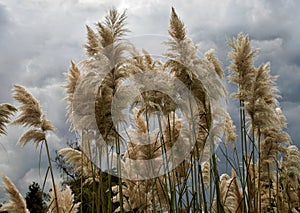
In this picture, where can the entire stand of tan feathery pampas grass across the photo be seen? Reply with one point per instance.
(264, 166)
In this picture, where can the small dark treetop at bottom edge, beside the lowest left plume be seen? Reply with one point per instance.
(35, 199)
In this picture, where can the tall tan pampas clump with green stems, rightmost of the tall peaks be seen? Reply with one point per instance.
(262, 129)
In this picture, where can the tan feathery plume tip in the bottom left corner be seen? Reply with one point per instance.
(17, 204)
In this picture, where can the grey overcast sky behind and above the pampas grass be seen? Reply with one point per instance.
(38, 38)
